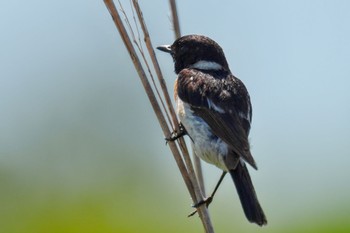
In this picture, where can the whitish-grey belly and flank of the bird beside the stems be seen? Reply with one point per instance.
(206, 145)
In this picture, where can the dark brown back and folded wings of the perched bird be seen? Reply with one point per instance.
(223, 102)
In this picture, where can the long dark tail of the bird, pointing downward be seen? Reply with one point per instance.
(246, 193)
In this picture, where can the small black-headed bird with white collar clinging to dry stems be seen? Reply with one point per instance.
(215, 111)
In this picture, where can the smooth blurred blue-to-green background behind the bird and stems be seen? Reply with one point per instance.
(81, 150)
